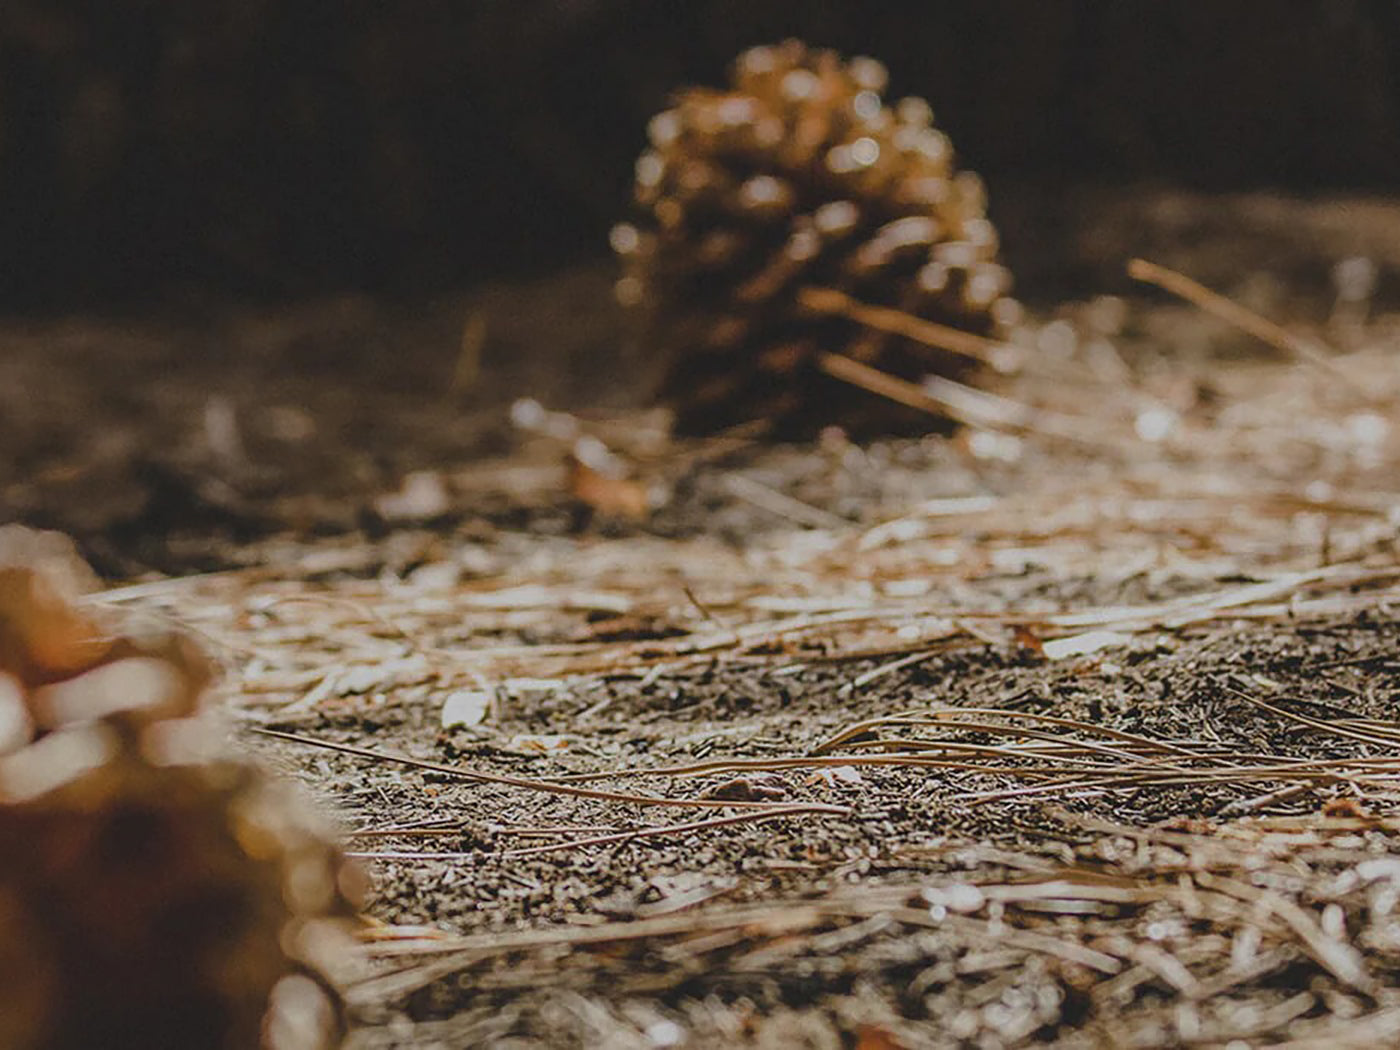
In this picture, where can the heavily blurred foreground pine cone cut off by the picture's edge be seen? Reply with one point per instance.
(150, 898)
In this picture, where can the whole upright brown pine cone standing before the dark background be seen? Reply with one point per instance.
(799, 177)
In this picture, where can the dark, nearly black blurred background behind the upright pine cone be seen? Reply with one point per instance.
(283, 148)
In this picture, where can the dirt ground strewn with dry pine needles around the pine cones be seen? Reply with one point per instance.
(1073, 729)
